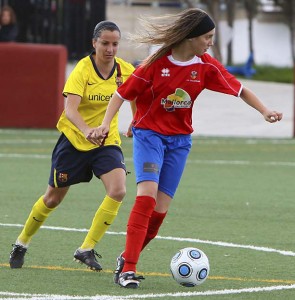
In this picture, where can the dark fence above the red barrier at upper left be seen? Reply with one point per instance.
(68, 22)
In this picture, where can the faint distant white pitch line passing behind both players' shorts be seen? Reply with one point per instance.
(189, 161)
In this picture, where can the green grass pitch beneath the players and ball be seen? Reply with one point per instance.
(238, 191)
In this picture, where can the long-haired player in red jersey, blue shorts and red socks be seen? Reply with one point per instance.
(165, 87)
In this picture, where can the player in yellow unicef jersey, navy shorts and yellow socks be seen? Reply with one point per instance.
(76, 156)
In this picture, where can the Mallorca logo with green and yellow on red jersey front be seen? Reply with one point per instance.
(180, 99)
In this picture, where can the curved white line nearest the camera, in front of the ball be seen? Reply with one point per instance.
(25, 296)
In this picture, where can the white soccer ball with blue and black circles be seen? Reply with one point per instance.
(190, 267)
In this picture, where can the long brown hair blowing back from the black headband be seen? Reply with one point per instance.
(167, 31)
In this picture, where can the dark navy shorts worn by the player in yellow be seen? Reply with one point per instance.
(70, 166)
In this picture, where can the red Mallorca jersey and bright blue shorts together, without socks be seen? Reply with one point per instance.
(165, 93)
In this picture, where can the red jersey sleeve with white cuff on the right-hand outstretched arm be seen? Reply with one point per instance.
(218, 79)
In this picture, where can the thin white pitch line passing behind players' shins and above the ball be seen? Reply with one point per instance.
(171, 238)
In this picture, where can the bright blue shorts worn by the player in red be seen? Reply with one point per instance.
(160, 158)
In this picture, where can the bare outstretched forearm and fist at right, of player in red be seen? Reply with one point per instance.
(251, 99)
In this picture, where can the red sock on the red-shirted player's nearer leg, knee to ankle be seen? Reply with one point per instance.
(136, 230)
